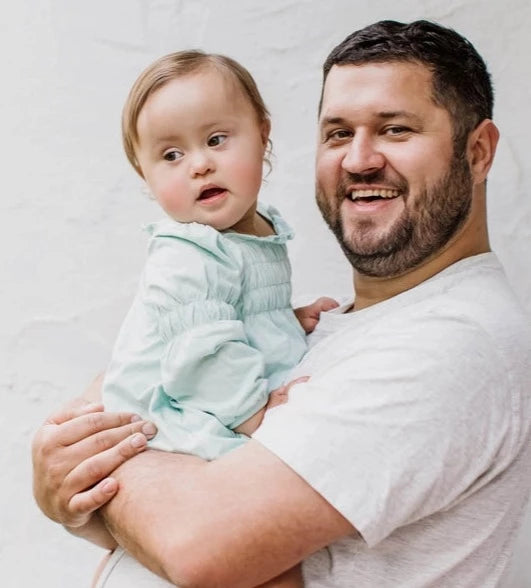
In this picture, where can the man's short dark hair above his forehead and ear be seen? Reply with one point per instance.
(461, 82)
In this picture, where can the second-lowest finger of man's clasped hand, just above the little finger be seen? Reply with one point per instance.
(99, 466)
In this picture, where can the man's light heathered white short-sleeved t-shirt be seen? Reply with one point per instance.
(415, 426)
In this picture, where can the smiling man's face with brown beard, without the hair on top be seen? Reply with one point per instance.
(392, 184)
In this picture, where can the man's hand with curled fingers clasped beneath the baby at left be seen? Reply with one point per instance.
(73, 454)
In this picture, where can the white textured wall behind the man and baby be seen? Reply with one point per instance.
(70, 206)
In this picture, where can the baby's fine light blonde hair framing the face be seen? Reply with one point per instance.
(176, 65)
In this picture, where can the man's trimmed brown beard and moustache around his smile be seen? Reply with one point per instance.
(422, 230)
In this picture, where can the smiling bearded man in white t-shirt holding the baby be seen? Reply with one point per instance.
(404, 460)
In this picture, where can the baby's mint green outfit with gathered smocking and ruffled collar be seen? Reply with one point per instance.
(210, 333)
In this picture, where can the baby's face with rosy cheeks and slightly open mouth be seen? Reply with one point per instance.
(201, 150)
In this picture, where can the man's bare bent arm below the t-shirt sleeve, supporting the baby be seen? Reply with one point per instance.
(238, 521)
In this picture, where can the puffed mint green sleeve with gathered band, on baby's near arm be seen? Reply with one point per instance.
(207, 364)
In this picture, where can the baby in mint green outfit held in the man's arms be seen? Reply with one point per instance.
(211, 332)
